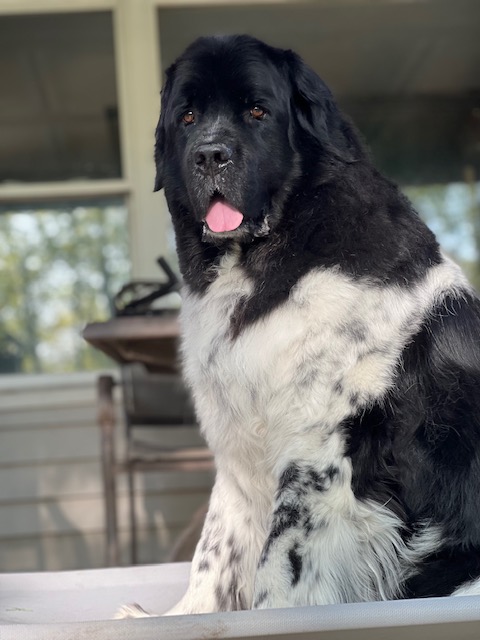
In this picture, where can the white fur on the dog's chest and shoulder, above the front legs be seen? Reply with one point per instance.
(328, 350)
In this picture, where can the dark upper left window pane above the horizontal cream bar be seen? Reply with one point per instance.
(58, 105)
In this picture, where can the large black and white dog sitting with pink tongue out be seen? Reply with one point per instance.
(332, 350)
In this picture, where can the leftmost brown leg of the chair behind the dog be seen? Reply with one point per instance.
(106, 420)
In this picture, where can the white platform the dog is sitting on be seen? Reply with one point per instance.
(79, 605)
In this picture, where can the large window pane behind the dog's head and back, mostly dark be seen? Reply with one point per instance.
(408, 75)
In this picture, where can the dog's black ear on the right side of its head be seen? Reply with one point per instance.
(317, 113)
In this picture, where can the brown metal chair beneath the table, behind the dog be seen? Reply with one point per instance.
(150, 399)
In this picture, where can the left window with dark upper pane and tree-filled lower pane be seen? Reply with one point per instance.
(63, 258)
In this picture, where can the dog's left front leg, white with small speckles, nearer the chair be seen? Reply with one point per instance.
(223, 567)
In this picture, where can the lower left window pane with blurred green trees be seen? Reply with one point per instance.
(60, 266)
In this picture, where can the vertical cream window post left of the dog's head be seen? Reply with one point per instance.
(138, 82)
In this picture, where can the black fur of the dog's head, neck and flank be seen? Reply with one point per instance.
(304, 170)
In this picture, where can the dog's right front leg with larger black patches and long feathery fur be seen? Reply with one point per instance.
(324, 545)
